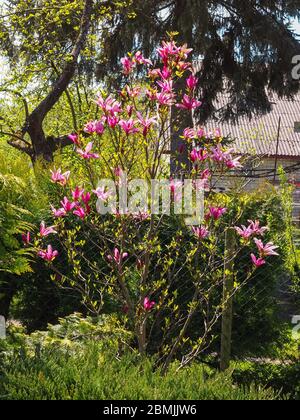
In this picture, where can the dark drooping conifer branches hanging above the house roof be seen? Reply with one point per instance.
(248, 44)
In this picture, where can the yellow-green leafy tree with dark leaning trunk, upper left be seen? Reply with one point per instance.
(48, 44)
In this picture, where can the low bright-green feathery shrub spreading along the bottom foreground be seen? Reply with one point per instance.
(93, 374)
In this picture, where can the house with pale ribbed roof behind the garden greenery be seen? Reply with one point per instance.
(271, 140)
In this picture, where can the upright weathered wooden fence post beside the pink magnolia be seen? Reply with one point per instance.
(228, 289)
